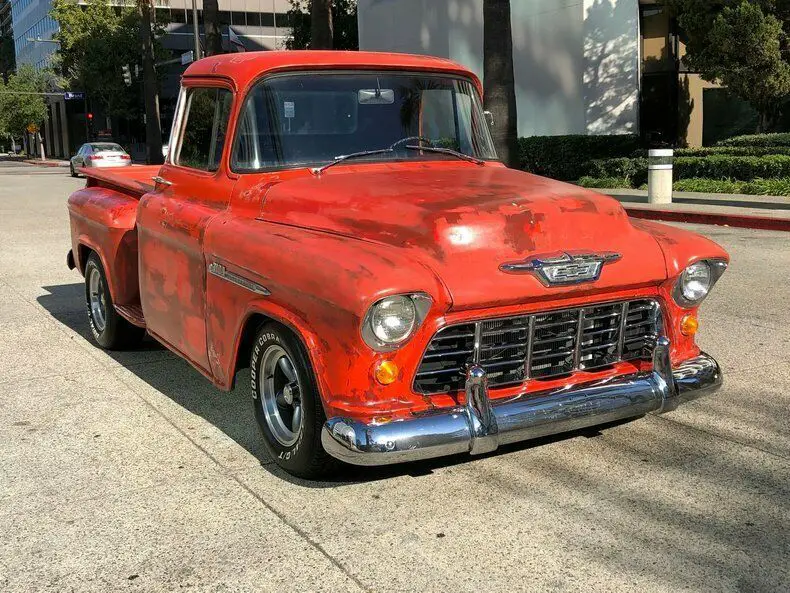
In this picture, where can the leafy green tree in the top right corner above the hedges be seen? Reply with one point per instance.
(742, 44)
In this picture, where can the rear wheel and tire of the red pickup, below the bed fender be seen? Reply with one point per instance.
(109, 329)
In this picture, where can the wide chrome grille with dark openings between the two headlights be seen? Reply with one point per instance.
(540, 346)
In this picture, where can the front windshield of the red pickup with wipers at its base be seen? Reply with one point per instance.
(312, 119)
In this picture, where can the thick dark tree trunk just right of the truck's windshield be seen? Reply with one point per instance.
(498, 81)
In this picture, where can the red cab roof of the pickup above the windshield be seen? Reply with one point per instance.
(244, 68)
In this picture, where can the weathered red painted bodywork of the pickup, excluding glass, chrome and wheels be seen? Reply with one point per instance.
(328, 247)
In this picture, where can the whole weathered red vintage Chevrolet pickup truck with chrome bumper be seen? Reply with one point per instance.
(339, 222)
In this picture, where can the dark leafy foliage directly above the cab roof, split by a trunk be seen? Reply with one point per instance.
(343, 25)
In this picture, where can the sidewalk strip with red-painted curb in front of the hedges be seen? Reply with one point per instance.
(736, 210)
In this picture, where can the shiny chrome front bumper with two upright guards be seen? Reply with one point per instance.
(482, 425)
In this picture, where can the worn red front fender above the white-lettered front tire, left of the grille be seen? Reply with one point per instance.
(321, 285)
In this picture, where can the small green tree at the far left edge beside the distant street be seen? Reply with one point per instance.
(22, 102)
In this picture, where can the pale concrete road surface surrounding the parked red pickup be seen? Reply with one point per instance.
(128, 471)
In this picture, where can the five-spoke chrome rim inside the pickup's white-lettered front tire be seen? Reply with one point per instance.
(281, 396)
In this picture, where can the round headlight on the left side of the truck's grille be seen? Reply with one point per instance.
(392, 320)
